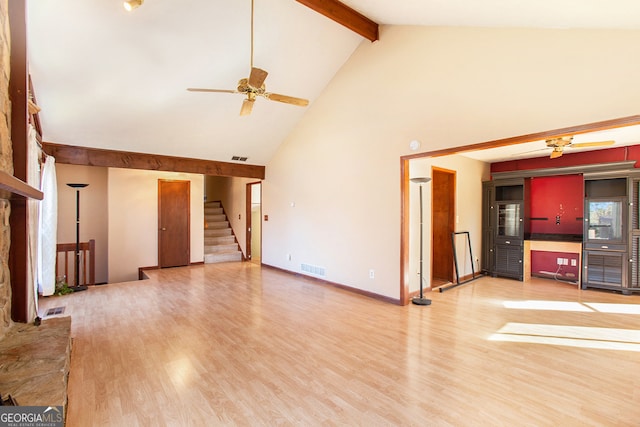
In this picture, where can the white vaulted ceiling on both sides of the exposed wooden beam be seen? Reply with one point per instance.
(107, 78)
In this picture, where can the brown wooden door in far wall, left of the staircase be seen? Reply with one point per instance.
(173, 223)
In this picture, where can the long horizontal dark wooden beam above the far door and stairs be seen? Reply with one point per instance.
(74, 155)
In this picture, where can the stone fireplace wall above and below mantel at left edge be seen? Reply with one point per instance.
(6, 165)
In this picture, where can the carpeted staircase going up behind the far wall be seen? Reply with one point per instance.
(220, 243)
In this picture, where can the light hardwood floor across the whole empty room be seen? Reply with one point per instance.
(237, 344)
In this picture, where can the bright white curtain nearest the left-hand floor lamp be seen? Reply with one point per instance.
(48, 229)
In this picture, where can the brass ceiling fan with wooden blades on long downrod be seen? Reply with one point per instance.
(253, 86)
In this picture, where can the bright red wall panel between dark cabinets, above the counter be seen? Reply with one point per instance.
(557, 204)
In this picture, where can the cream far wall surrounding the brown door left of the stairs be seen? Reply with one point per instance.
(133, 220)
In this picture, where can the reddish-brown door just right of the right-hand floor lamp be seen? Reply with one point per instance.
(442, 225)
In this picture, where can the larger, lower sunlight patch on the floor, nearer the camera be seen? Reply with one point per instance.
(570, 336)
